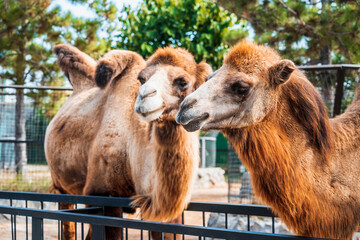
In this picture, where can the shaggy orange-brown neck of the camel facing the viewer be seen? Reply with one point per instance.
(176, 155)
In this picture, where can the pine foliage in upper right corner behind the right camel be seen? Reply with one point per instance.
(308, 31)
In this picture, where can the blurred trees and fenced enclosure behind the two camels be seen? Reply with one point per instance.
(322, 32)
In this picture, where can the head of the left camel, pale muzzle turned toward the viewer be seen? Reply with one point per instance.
(169, 76)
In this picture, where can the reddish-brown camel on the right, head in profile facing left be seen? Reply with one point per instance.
(302, 164)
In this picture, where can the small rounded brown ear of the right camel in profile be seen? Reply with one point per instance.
(281, 72)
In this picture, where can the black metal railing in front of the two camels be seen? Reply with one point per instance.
(94, 216)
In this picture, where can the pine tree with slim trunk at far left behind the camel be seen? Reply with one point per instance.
(28, 31)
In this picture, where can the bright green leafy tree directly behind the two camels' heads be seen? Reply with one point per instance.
(198, 26)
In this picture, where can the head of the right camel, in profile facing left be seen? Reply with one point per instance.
(239, 94)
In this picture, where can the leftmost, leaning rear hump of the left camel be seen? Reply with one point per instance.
(77, 66)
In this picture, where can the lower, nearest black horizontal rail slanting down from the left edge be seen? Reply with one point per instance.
(144, 225)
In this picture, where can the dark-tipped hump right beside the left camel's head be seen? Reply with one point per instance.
(114, 64)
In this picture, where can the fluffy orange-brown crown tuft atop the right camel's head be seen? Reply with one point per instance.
(250, 58)
